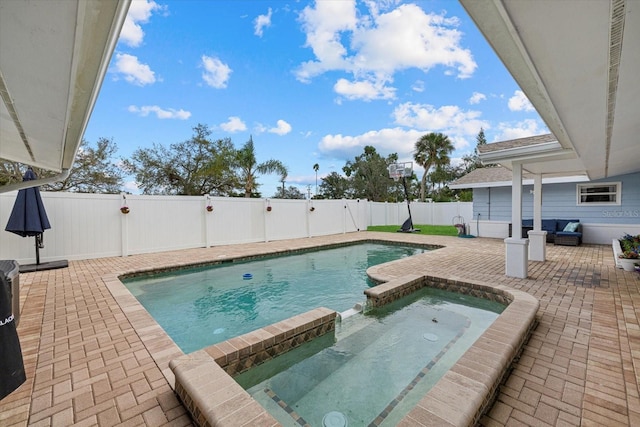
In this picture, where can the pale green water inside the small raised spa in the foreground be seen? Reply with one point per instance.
(378, 365)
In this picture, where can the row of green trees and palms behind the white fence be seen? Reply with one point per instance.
(201, 165)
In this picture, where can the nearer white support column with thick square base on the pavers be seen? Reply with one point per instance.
(516, 248)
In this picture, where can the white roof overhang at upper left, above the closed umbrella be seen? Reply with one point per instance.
(53, 57)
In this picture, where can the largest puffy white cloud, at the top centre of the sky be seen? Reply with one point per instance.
(381, 43)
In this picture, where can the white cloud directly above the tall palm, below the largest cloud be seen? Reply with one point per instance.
(457, 124)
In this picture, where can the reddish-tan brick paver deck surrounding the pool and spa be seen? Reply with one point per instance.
(93, 357)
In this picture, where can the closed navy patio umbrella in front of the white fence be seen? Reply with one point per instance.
(28, 217)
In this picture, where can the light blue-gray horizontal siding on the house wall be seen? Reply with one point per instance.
(559, 201)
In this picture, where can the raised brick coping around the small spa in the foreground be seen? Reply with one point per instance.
(459, 398)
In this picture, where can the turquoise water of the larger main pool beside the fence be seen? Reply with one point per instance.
(204, 306)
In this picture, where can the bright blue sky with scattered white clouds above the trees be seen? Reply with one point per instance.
(310, 81)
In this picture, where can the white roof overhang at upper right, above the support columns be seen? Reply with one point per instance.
(578, 63)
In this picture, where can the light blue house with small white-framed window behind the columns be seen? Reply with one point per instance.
(607, 207)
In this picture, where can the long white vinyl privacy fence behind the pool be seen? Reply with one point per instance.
(85, 226)
